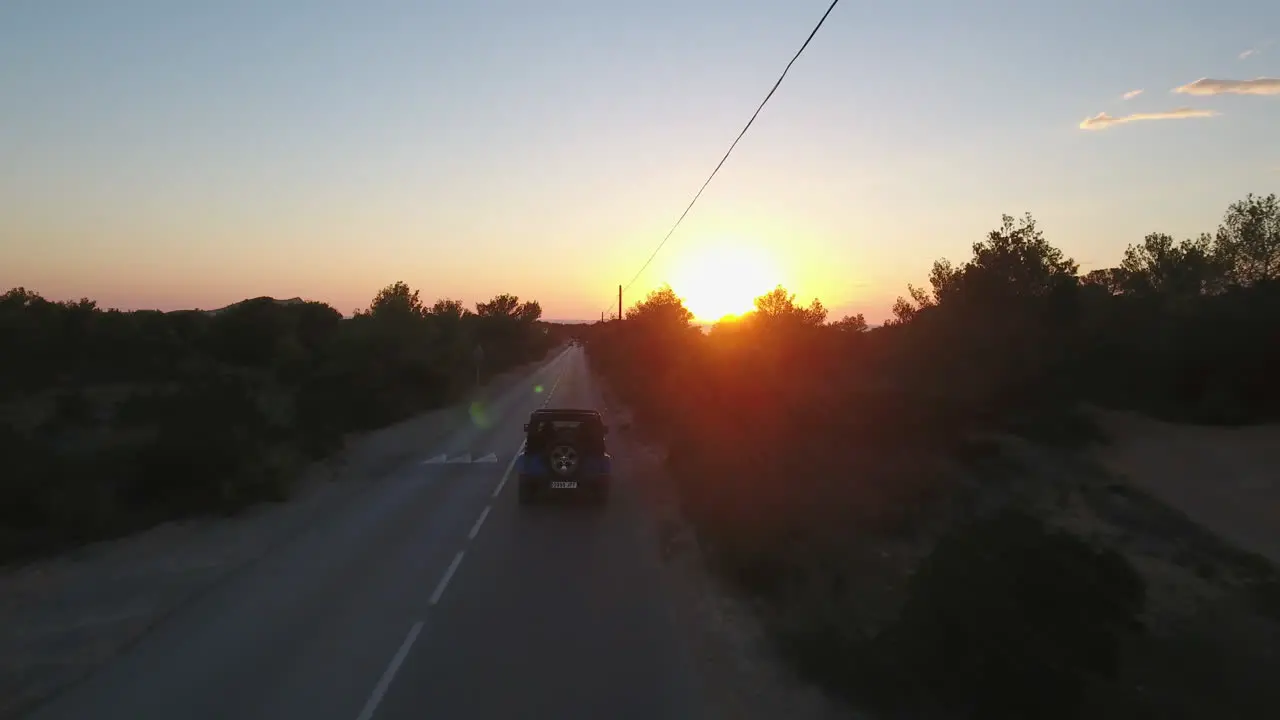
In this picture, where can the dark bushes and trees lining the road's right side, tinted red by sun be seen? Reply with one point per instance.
(815, 458)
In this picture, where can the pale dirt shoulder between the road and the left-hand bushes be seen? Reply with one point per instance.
(65, 617)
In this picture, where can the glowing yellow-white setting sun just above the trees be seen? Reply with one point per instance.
(724, 280)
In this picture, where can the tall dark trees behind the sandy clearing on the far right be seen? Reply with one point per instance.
(1185, 330)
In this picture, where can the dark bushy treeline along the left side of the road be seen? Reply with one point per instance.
(112, 421)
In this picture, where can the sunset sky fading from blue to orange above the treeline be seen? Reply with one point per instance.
(161, 154)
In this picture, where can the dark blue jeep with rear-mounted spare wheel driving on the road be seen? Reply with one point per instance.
(565, 454)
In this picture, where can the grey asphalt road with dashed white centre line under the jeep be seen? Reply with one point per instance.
(435, 595)
